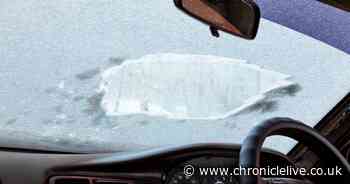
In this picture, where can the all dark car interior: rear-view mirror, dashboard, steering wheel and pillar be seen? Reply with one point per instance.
(326, 145)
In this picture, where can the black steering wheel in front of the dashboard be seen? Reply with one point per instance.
(251, 147)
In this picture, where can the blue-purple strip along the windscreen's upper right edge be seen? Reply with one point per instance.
(311, 17)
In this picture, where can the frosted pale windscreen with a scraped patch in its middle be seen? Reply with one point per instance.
(95, 76)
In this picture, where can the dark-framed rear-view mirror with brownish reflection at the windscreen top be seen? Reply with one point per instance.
(237, 17)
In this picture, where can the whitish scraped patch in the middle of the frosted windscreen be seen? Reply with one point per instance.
(186, 86)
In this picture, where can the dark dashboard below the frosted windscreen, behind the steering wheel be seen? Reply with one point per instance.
(154, 166)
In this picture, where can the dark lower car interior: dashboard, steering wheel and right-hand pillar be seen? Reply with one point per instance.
(166, 165)
